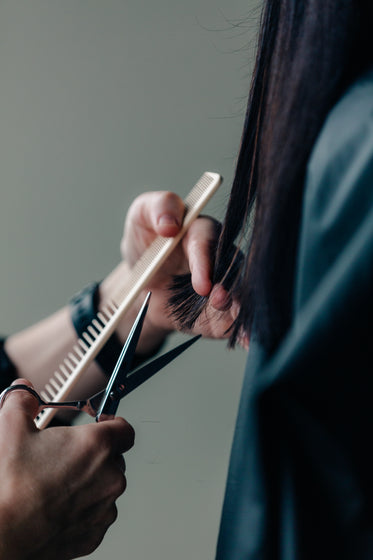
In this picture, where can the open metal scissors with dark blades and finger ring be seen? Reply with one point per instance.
(104, 405)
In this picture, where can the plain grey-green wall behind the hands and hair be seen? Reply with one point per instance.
(99, 101)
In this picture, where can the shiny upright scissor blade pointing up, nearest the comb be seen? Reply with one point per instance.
(113, 391)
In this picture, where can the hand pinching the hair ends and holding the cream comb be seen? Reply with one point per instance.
(161, 213)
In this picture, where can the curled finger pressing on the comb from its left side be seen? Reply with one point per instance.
(160, 211)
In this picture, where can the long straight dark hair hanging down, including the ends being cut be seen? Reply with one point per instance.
(308, 52)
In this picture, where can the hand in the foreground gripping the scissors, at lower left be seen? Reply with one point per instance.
(59, 485)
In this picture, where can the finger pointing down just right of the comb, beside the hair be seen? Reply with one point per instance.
(198, 245)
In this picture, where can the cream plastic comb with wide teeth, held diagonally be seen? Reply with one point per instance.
(106, 321)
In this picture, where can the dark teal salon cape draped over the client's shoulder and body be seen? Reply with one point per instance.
(300, 482)
